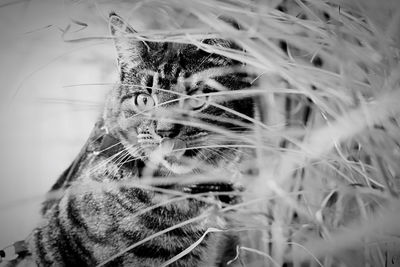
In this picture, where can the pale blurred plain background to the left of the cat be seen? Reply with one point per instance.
(51, 94)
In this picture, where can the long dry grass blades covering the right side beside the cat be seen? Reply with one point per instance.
(327, 142)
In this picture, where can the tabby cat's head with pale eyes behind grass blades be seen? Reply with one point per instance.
(160, 111)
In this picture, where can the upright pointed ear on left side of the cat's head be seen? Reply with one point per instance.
(130, 50)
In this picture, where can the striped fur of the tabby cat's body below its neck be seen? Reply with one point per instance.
(93, 221)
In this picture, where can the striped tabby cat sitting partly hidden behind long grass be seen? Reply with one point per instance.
(162, 120)
